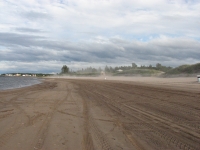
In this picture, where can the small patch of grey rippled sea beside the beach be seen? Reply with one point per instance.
(17, 82)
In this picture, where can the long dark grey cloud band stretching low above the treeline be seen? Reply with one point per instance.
(30, 48)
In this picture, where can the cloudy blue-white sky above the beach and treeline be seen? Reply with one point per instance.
(43, 35)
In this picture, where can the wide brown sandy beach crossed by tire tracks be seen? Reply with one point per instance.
(112, 114)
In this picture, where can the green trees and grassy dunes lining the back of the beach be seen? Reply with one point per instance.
(133, 70)
